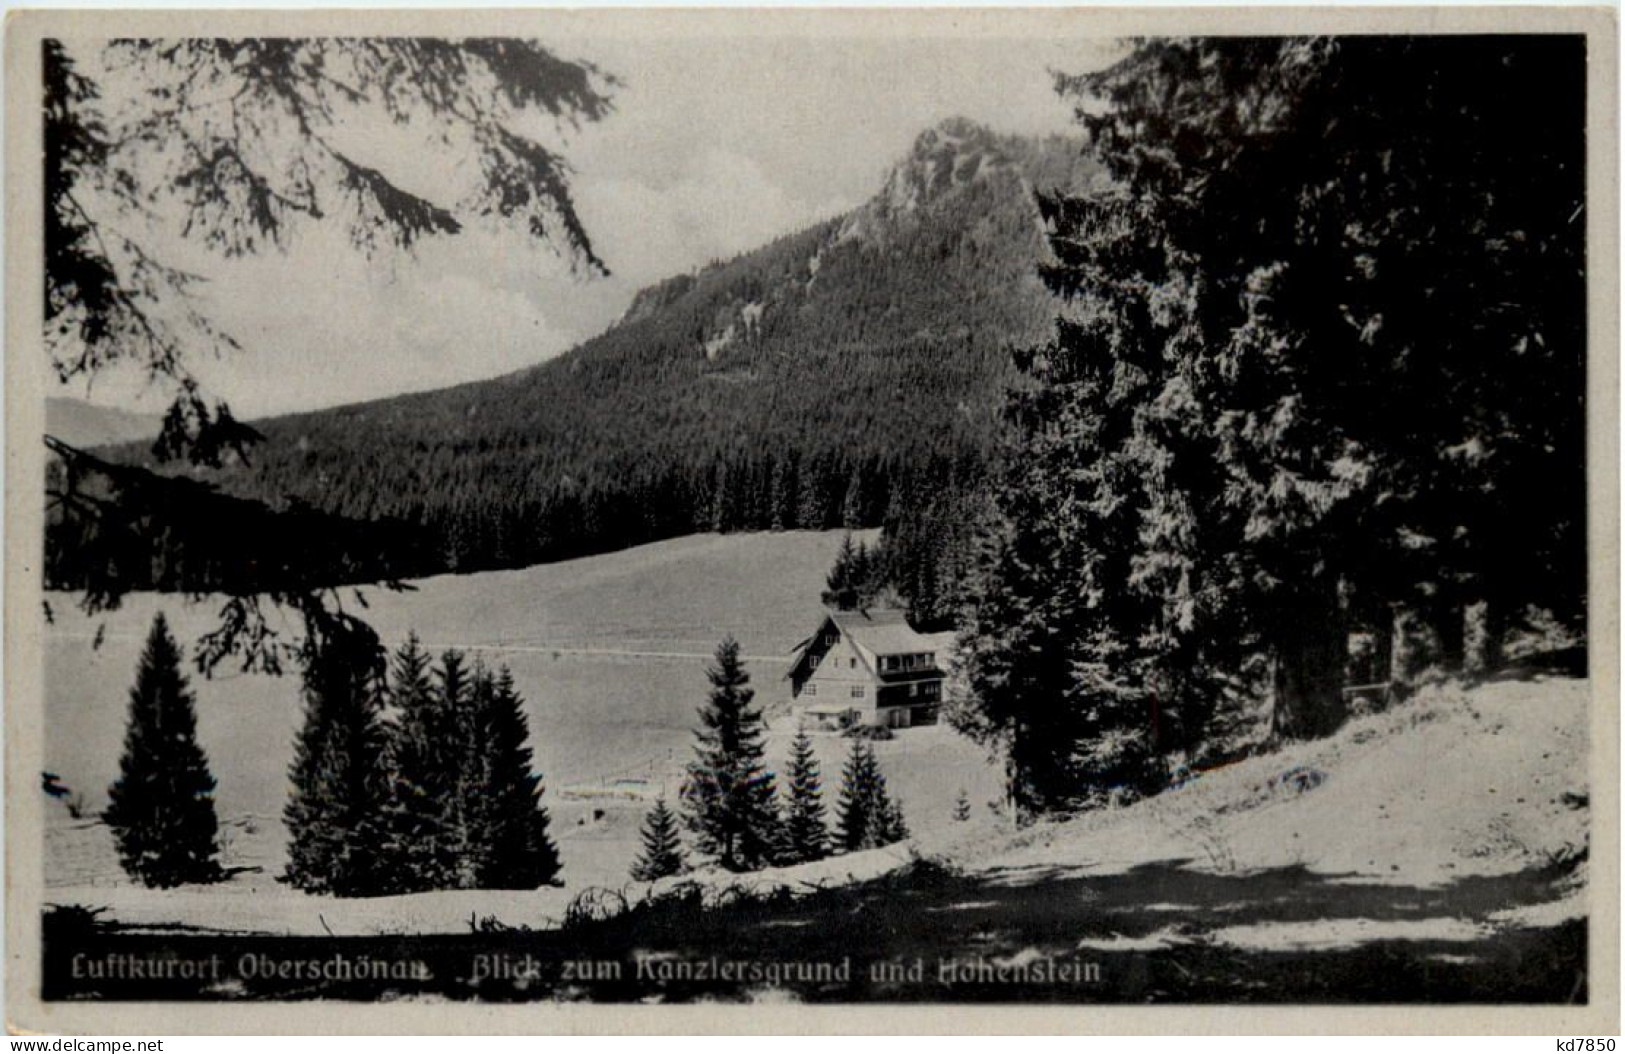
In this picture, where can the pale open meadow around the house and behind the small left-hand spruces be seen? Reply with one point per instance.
(609, 654)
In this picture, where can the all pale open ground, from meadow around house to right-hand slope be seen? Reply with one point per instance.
(612, 652)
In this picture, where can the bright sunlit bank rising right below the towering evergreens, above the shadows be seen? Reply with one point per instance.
(1454, 784)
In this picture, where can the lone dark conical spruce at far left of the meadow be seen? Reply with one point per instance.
(162, 810)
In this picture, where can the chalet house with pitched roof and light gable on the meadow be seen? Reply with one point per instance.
(867, 668)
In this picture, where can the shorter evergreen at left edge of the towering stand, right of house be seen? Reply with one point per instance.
(1047, 660)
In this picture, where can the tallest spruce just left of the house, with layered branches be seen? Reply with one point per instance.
(729, 793)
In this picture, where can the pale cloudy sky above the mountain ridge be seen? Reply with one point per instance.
(721, 142)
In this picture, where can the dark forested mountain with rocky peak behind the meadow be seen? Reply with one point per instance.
(847, 374)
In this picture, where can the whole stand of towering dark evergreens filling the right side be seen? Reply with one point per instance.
(1319, 365)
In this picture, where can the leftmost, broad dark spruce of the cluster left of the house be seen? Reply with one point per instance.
(337, 814)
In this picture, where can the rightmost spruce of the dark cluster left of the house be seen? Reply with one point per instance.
(509, 837)
